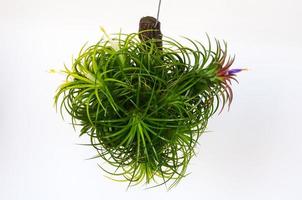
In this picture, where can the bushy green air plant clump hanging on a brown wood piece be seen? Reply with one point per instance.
(144, 99)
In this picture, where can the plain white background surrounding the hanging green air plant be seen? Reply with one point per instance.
(252, 152)
